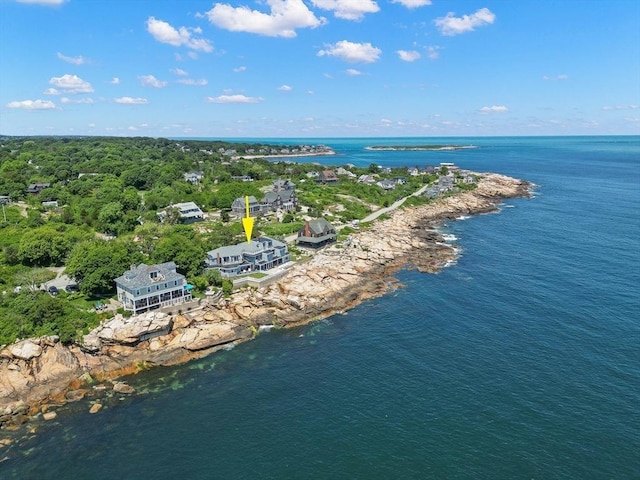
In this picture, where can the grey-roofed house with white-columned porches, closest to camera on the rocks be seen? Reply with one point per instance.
(145, 287)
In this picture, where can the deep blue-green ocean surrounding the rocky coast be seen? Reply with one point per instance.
(521, 360)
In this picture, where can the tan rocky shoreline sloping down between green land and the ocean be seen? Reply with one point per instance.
(37, 375)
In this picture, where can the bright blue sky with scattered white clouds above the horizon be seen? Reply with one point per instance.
(319, 68)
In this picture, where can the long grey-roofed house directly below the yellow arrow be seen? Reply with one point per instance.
(259, 255)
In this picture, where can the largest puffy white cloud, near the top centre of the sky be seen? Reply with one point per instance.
(284, 18)
